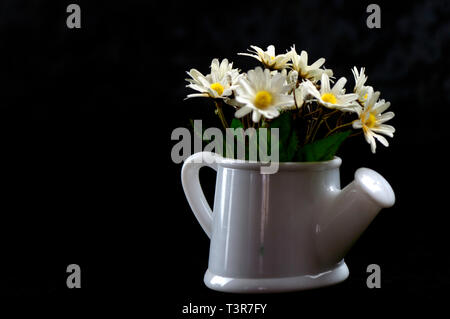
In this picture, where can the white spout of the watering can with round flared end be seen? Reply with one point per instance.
(349, 213)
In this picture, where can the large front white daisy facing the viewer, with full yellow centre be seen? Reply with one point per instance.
(263, 94)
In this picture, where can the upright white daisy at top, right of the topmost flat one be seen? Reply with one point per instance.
(311, 72)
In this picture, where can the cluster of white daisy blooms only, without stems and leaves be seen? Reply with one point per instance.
(287, 82)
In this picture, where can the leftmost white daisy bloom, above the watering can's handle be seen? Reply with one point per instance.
(220, 83)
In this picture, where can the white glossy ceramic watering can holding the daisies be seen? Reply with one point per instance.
(284, 231)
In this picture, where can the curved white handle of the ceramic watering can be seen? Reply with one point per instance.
(193, 190)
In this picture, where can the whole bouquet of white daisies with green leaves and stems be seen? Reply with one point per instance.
(313, 113)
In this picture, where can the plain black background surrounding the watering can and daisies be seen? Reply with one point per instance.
(85, 122)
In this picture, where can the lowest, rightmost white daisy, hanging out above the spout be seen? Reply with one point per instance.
(371, 121)
